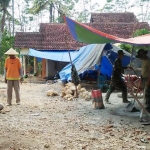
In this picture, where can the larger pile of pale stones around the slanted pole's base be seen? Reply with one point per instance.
(69, 92)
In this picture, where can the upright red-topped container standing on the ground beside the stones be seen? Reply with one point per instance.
(97, 102)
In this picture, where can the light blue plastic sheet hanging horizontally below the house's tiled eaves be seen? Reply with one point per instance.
(54, 55)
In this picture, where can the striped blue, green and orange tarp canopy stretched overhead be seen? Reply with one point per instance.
(86, 34)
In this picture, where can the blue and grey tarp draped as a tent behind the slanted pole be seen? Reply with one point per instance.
(90, 56)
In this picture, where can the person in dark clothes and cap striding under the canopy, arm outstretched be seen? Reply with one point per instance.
(116, 81)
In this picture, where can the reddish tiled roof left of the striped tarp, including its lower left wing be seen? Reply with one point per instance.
(50, 37)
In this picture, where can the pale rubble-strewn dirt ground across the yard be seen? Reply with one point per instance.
(51, 123)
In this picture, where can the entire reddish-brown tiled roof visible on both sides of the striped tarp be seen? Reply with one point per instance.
(57, 37)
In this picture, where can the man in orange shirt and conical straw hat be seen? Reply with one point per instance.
(13, 73)
